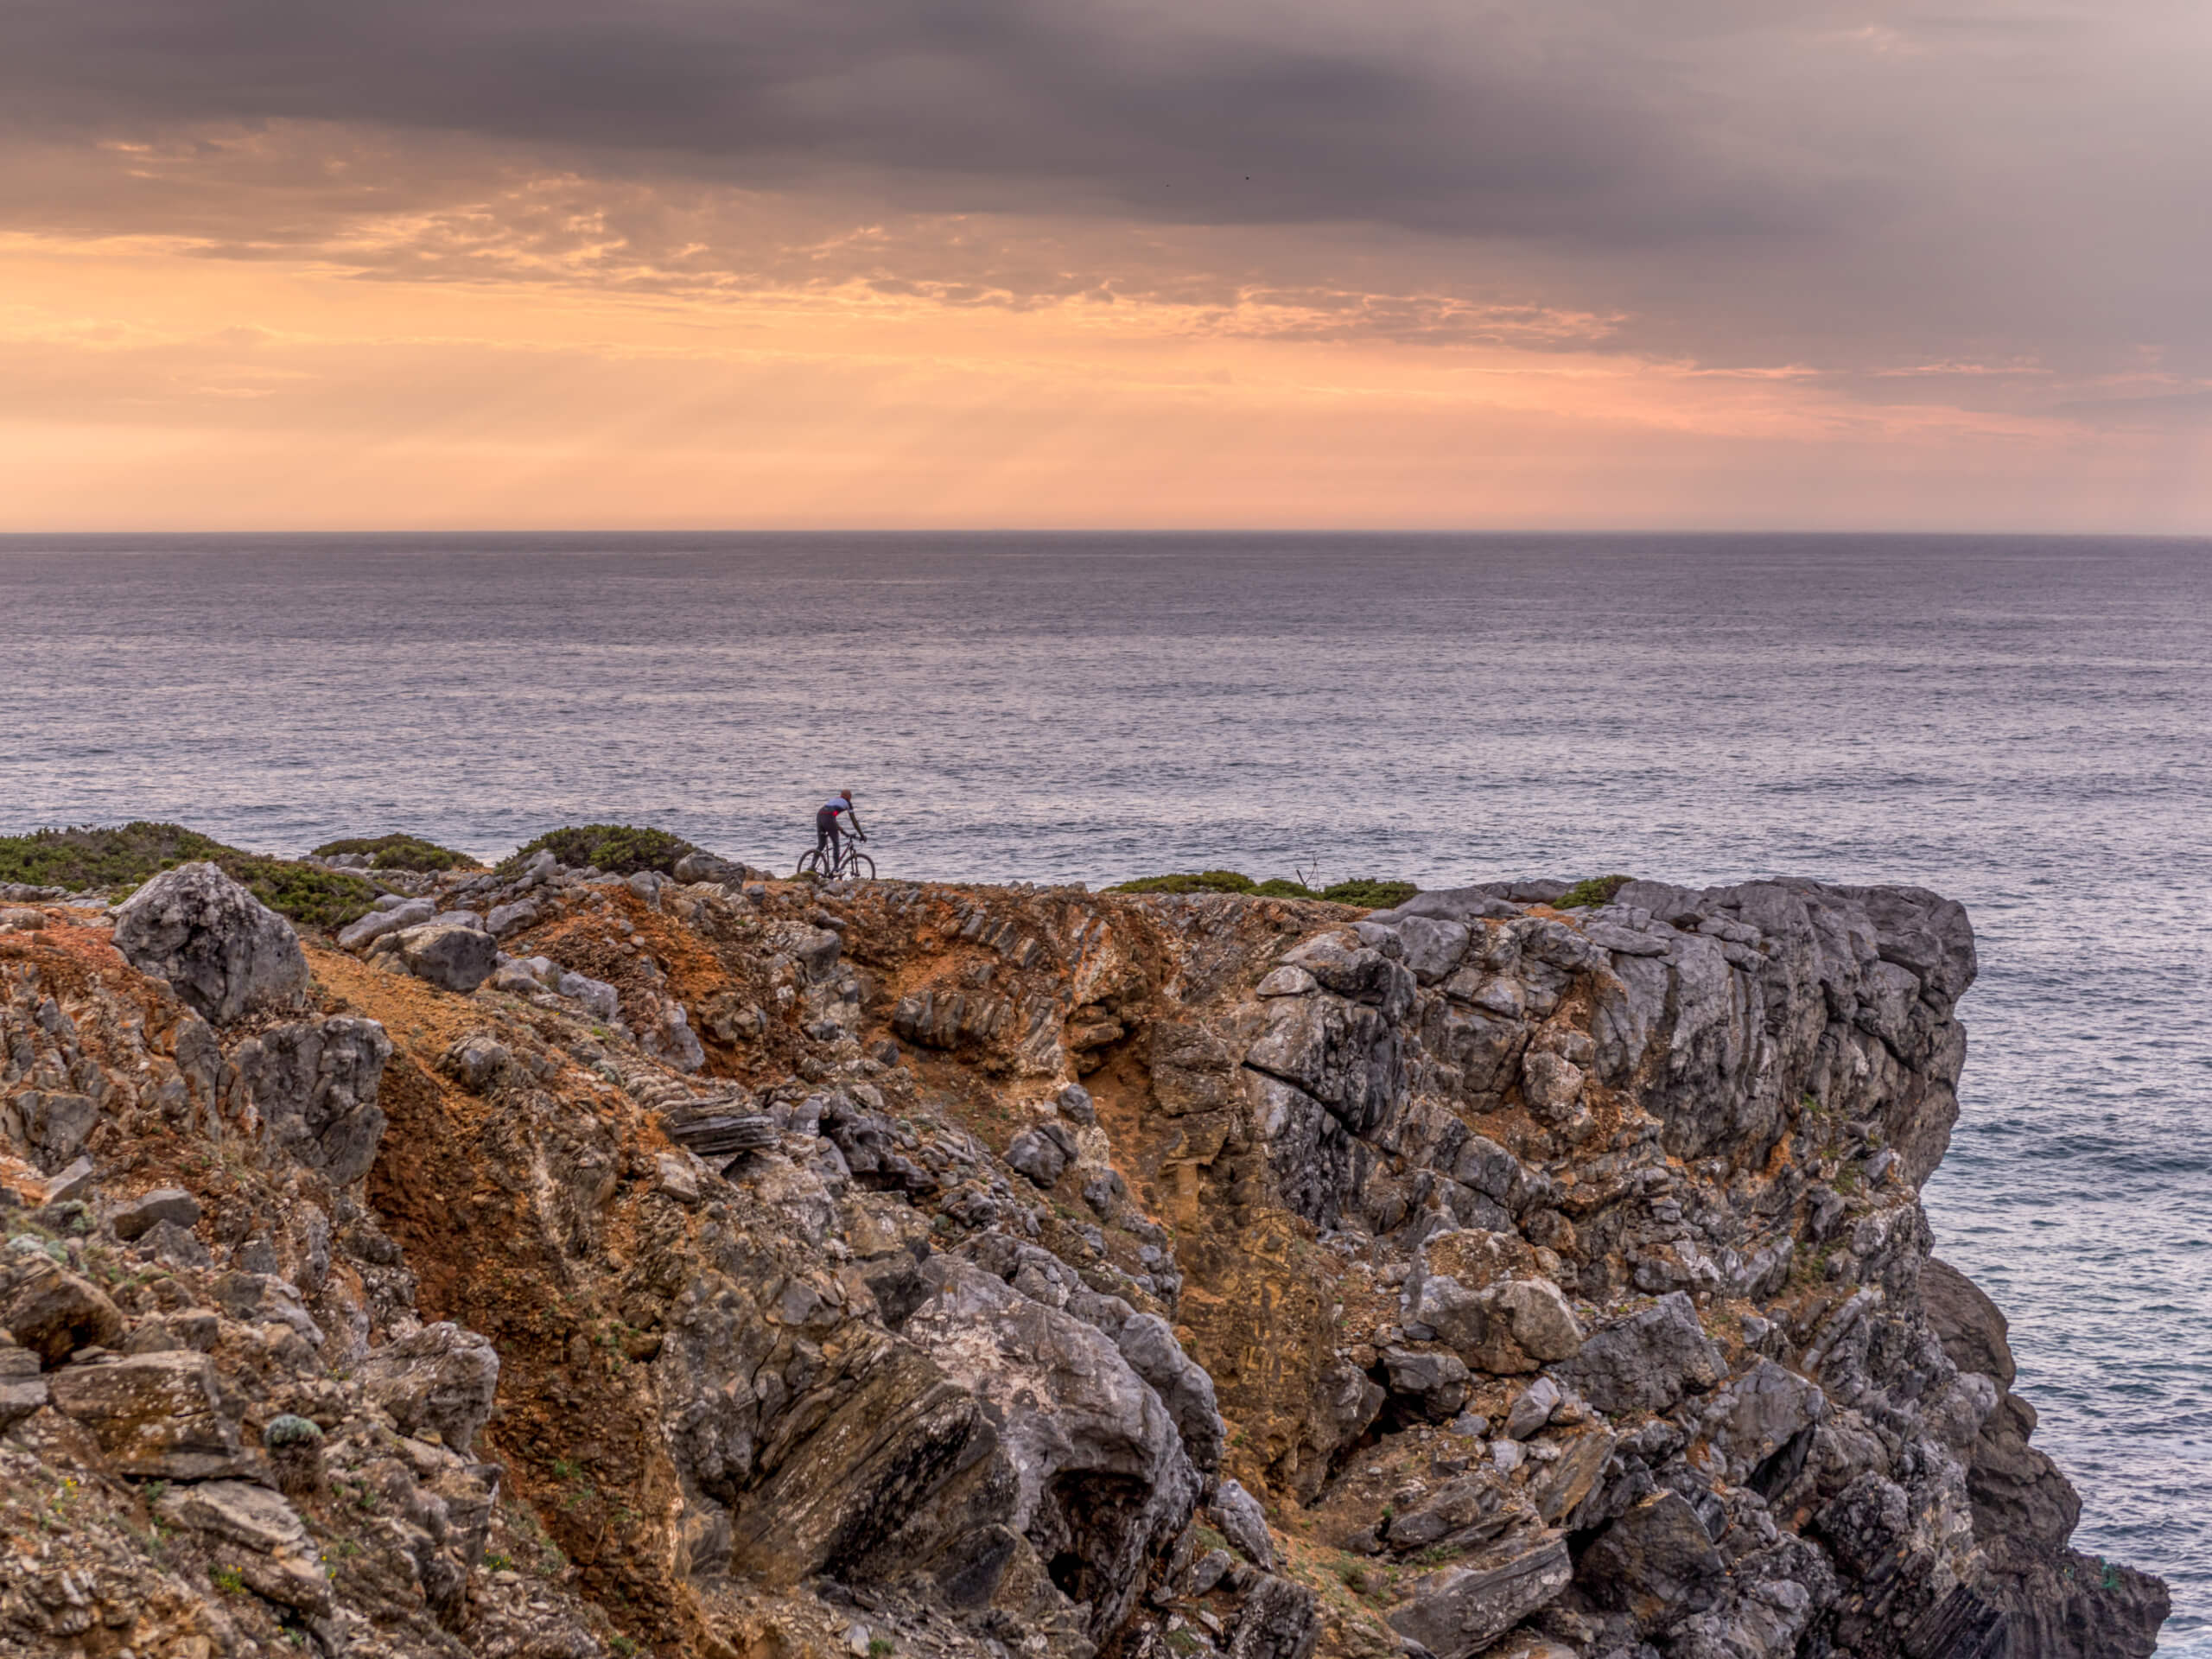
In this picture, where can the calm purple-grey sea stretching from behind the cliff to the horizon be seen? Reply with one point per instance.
(2014, 722)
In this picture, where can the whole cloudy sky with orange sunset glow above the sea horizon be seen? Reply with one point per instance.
(1399, 264)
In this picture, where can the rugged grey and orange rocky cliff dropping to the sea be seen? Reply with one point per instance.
(565, 1264)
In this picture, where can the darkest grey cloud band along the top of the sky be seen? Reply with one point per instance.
(1501, 121)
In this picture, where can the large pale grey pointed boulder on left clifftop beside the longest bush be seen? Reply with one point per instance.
(218, 946)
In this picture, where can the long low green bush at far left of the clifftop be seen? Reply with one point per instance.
(123, 857)
